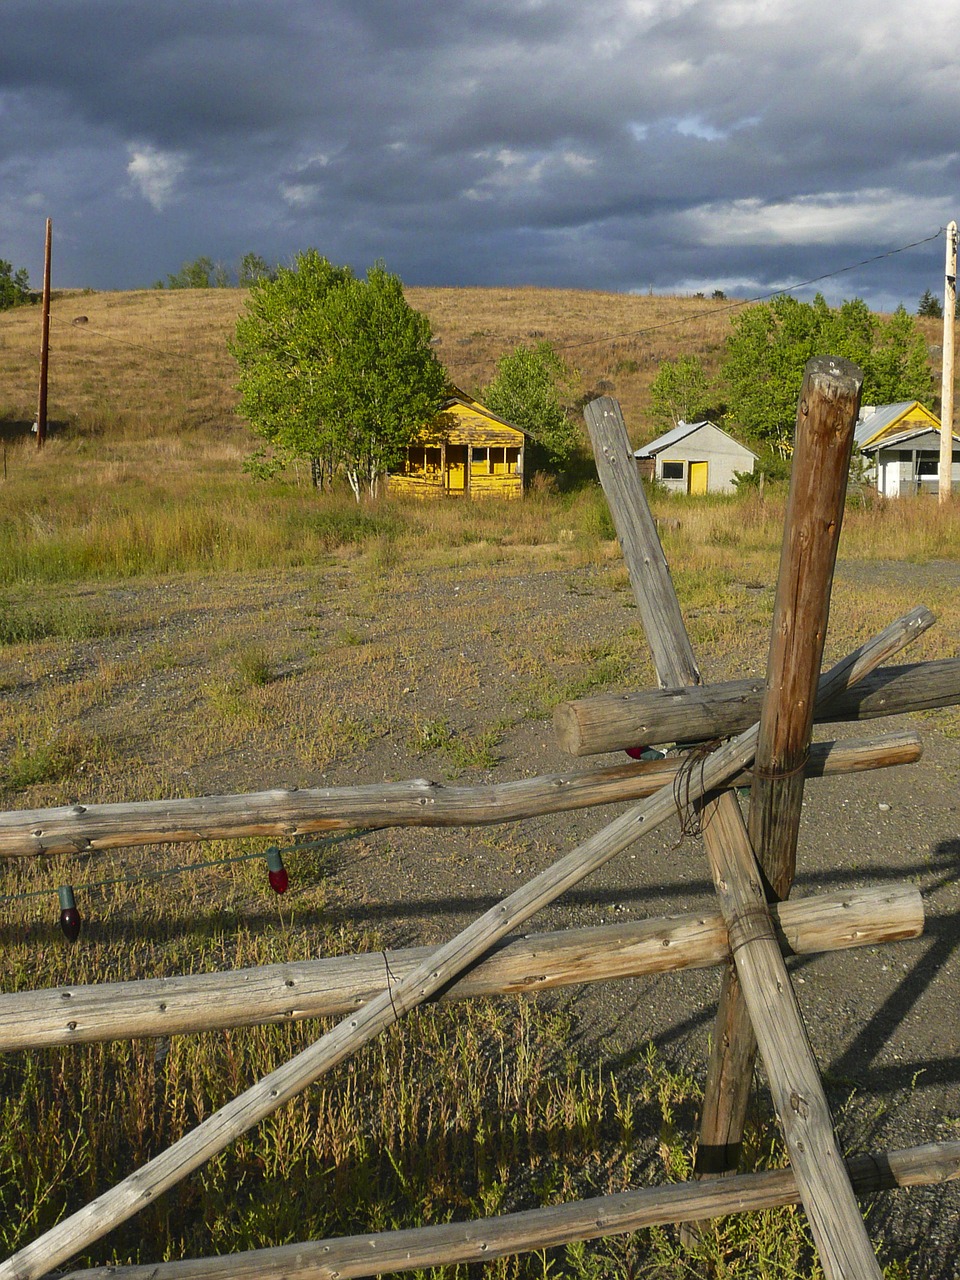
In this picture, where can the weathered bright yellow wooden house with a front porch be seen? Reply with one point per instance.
(465, 452)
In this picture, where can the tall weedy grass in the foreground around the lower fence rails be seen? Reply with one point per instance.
(460, 1113)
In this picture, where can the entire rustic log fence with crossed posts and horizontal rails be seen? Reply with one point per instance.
(767, 748)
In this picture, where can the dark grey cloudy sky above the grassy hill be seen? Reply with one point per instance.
(627, 145)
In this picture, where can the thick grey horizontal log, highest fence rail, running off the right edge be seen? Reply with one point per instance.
(611, 723)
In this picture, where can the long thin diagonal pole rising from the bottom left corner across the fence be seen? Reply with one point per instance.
(444, 967)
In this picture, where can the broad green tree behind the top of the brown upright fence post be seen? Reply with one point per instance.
(771, 344)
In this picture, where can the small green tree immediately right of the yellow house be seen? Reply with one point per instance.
(528, 392)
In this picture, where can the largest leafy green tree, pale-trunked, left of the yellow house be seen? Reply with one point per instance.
(336, 369)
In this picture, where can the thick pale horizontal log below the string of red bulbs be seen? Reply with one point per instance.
(327, 989)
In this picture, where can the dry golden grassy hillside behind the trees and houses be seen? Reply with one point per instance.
(156, 362)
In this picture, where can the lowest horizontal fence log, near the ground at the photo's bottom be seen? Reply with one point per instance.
(423, 1247)
